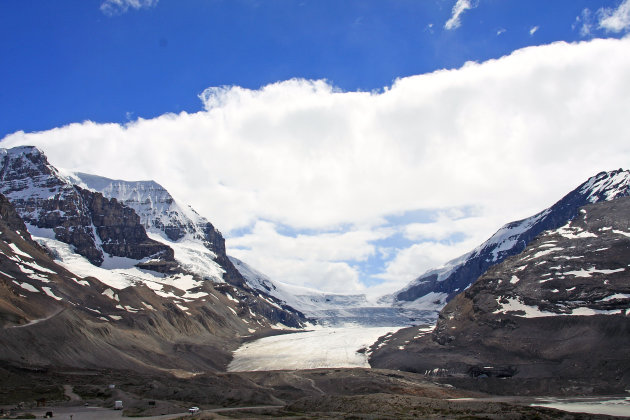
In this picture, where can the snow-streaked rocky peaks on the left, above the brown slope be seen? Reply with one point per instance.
(95, 236)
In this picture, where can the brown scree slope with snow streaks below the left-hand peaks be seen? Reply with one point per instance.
(49, 316)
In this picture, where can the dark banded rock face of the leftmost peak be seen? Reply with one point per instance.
(88, 221)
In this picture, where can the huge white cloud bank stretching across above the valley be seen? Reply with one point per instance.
(303, 178)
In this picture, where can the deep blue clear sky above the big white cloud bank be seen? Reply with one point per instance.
(68, 61)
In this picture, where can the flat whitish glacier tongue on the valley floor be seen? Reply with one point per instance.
(320, 348)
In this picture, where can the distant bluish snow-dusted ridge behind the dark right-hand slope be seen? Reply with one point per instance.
(437, 286)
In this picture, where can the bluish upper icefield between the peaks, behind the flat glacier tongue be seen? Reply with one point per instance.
(331, 309)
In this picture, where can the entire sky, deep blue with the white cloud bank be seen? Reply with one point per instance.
(322, 137)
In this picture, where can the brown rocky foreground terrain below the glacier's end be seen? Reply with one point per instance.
(310, 394)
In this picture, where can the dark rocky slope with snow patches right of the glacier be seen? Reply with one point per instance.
(557, 314)
